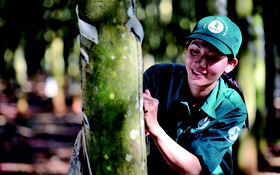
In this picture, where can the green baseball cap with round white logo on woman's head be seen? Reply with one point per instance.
(220, 31)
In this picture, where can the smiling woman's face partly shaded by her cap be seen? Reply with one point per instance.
(205, 64)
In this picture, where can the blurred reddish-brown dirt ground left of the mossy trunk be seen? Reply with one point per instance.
(38, 144)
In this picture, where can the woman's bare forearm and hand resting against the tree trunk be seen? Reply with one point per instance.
(177, 157)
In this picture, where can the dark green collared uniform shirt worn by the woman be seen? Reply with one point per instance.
(207, 130)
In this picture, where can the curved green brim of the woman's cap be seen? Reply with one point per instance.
(212, 40)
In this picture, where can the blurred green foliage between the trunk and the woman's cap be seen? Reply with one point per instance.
(166, 24)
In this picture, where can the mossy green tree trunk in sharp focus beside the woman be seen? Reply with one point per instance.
(113, 137)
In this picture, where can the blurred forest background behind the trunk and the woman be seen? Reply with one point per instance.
(40, 92)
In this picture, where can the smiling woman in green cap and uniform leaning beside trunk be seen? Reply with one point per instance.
(192, 113)
